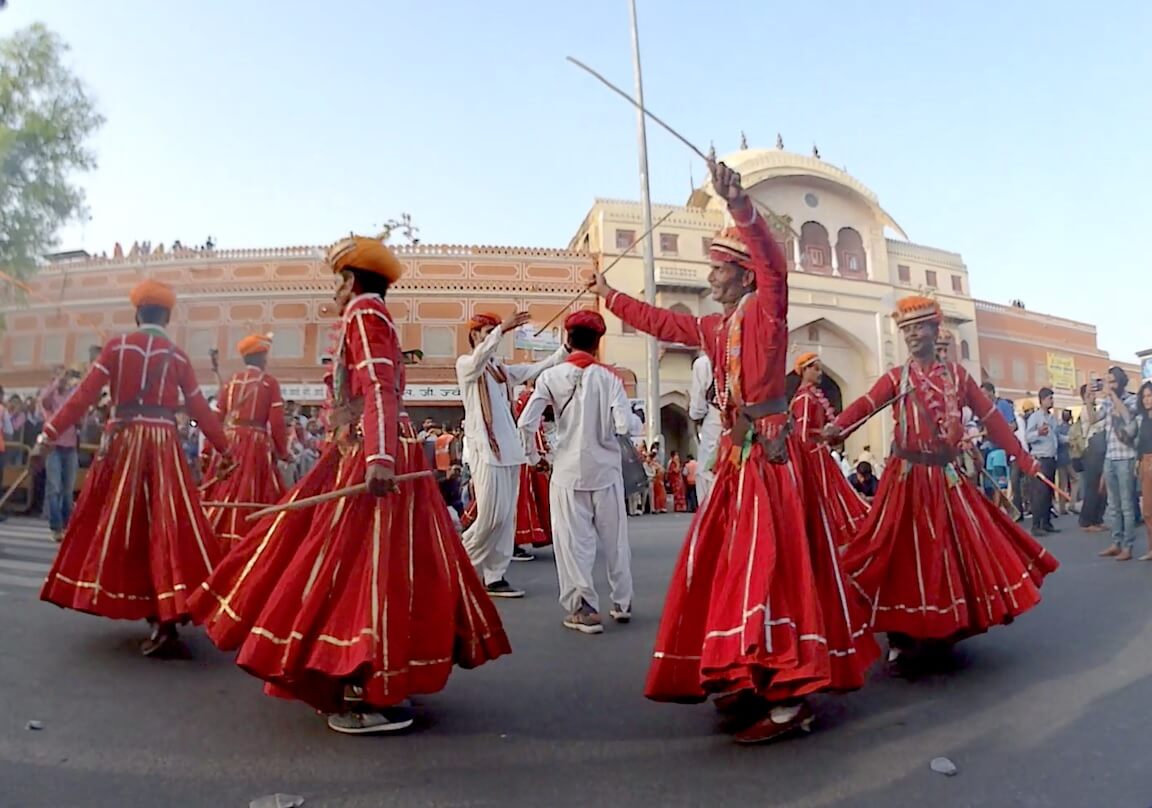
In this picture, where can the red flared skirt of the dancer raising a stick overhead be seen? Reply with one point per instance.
(756, 602)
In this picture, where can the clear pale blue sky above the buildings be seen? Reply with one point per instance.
(1015, 134)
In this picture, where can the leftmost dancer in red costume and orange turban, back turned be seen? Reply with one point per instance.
(138, 545)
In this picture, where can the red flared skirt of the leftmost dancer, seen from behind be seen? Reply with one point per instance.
(138, 545)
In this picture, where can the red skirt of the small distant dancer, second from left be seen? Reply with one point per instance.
(256, 479)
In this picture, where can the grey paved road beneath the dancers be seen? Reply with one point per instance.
(1051, 712)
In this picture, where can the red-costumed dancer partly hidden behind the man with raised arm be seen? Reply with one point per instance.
(832, 505)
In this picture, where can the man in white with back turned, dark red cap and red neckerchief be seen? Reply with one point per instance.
(587, 494)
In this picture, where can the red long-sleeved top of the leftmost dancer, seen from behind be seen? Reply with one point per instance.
(148, 360)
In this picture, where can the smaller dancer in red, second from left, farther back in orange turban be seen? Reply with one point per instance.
(255, 421)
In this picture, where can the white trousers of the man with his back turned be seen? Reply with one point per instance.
(582, 523)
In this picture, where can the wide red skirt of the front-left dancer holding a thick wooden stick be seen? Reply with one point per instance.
(376, 593)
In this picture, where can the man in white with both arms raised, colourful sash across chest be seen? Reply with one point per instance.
(495, 449)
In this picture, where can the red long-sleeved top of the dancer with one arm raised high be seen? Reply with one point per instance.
(764, 342)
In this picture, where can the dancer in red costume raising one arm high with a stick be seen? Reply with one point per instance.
(757, 610)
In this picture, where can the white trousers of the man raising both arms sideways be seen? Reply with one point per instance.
(491, 539)
